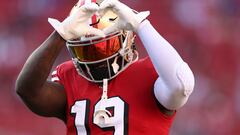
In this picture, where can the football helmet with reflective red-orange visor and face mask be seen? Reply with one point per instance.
(97, 58)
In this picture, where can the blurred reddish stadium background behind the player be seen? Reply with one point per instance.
(205, 32)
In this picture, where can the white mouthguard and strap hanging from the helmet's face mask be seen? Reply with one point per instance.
(102, 116)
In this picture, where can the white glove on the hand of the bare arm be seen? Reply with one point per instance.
(77, 24)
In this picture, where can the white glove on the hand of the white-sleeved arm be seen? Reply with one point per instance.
(127, 19)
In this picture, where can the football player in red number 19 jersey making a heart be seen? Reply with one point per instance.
(105, 88)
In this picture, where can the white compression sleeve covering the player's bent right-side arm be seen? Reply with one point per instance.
(176, 80)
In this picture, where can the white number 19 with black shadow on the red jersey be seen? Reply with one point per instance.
(119, 118)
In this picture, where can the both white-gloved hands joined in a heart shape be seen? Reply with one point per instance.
(77, 24)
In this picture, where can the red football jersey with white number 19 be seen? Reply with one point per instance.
(131, 101)
